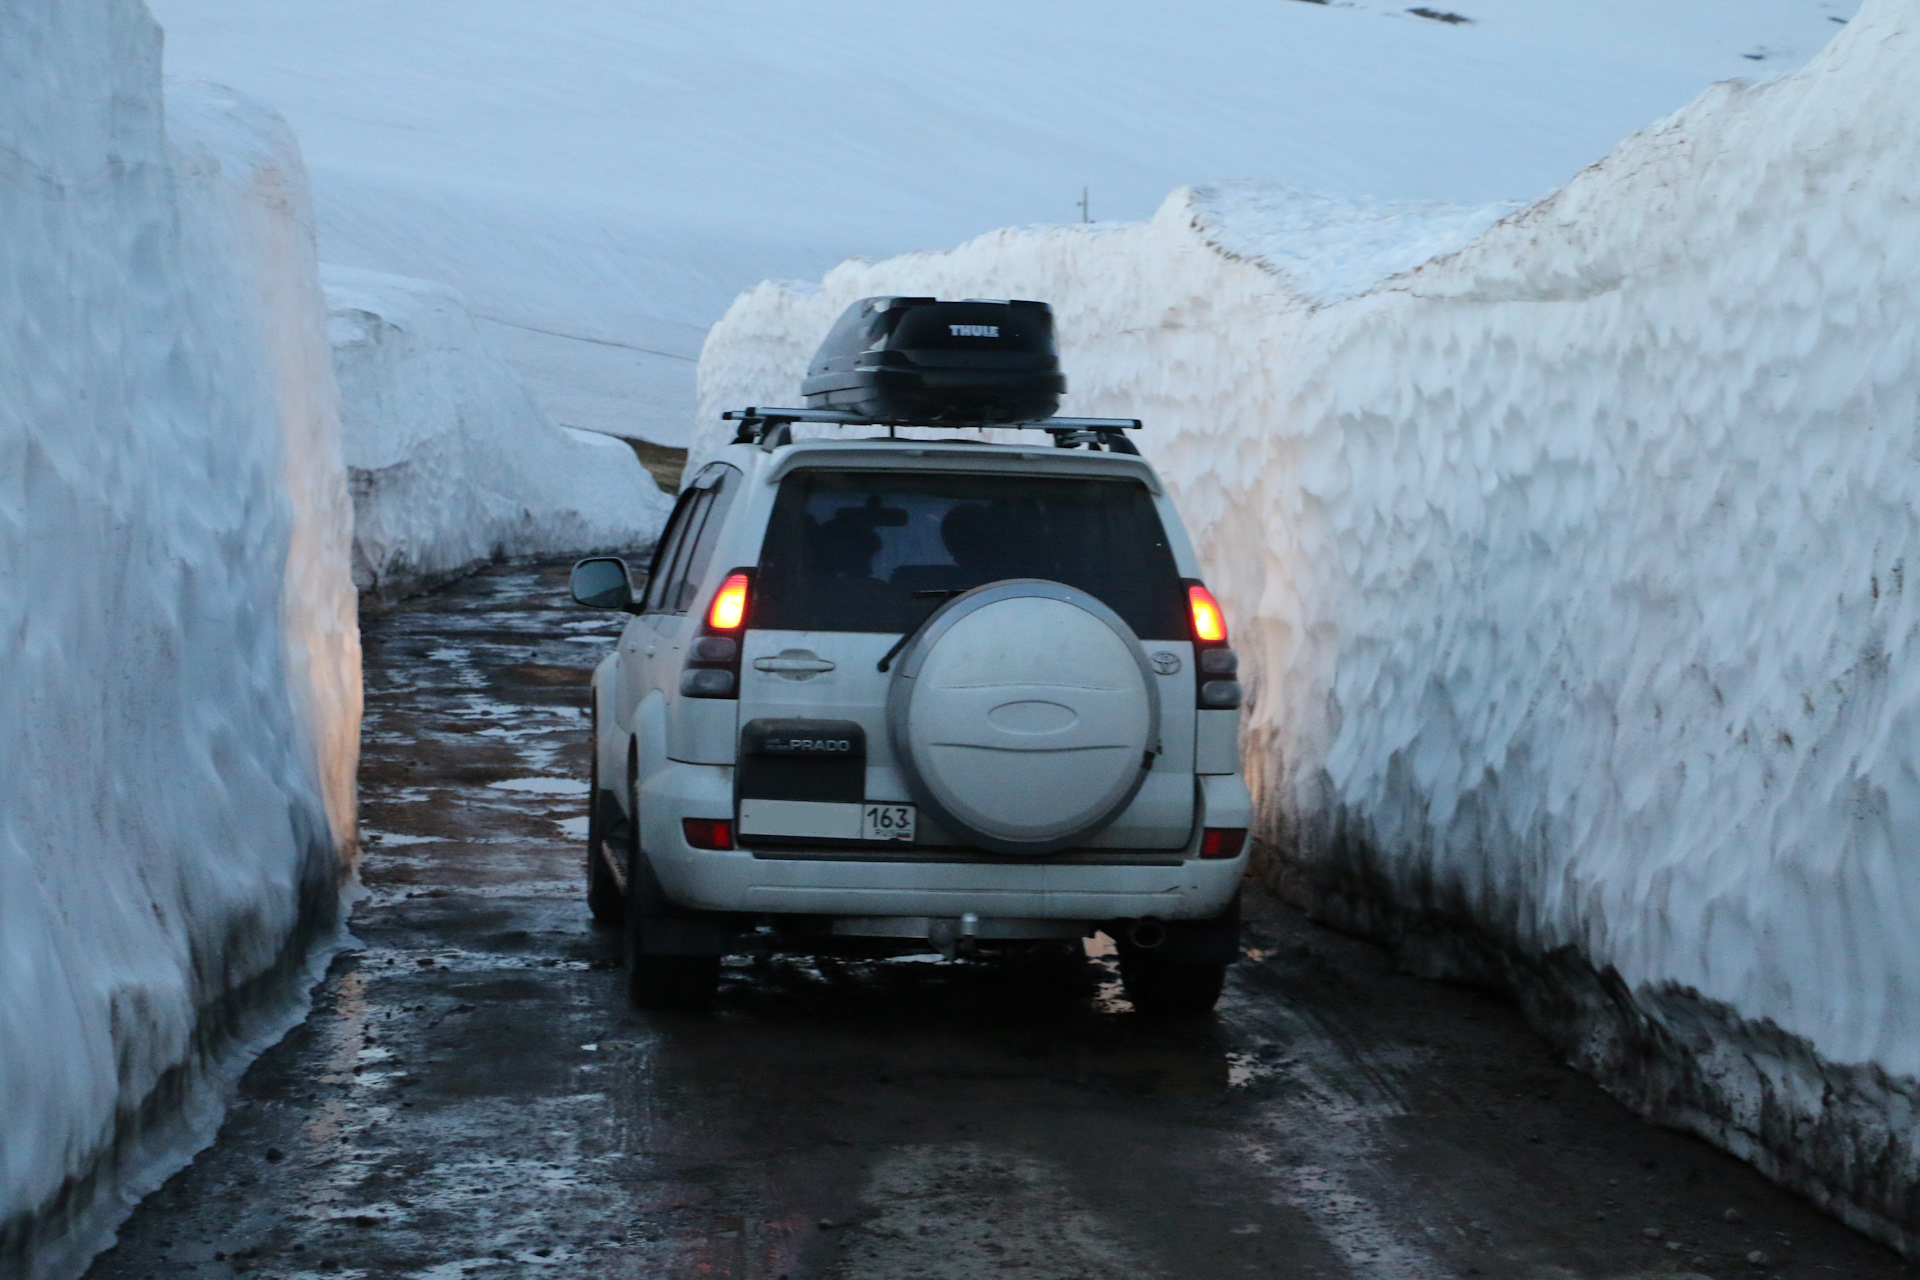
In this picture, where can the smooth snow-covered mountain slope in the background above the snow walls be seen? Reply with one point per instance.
(600, 179)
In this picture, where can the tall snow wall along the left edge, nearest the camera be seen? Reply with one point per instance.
(180, 659)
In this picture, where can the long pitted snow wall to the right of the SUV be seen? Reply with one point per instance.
(1572, 577)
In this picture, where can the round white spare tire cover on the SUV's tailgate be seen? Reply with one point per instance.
(1024, 717)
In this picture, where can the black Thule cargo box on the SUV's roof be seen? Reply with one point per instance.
(959, 364)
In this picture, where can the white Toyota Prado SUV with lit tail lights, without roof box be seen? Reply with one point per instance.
(890, 696)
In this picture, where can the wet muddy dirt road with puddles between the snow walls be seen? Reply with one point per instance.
(473, 1099)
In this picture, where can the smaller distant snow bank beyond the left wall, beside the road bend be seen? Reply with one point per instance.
(452, 462)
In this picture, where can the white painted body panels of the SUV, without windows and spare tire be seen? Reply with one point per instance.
(1143, 865)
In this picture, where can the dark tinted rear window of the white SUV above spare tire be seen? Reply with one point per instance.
(878, 552)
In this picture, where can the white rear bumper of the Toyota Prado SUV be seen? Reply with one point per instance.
(1184, 888)
